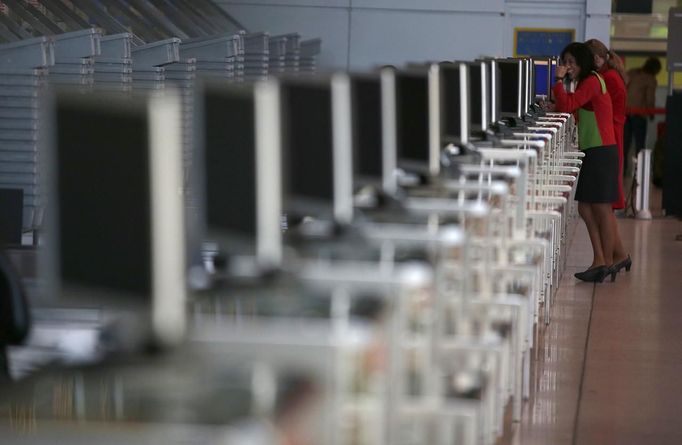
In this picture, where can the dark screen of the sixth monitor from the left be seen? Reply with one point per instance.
(451, 103)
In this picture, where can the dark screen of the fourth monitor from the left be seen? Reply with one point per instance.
(367, 130)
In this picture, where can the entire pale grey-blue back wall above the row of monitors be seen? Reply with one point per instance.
(364, 33)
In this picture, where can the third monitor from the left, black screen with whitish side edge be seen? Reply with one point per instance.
(316, 138)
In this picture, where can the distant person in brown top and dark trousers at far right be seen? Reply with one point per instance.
(641, 93)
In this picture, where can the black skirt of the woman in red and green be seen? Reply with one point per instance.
(598, 180)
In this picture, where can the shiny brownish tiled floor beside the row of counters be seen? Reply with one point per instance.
(608, 368)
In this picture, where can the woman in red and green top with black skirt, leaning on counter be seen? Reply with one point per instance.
(597, 186)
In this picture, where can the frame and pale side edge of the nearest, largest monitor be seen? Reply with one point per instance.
(167, 302)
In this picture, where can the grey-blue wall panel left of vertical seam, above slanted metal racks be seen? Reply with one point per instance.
(330, 24)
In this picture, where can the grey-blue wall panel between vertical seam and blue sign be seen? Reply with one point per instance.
(396, 37)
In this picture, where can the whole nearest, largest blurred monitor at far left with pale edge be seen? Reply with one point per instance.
(114, 218)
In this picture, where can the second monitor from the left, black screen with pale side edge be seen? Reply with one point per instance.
(238, 170)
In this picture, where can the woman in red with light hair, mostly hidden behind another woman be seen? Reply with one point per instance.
(611, 68)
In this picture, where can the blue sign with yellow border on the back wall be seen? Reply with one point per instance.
(541, 42)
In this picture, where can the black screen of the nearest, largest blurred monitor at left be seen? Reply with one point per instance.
(102, 197)
